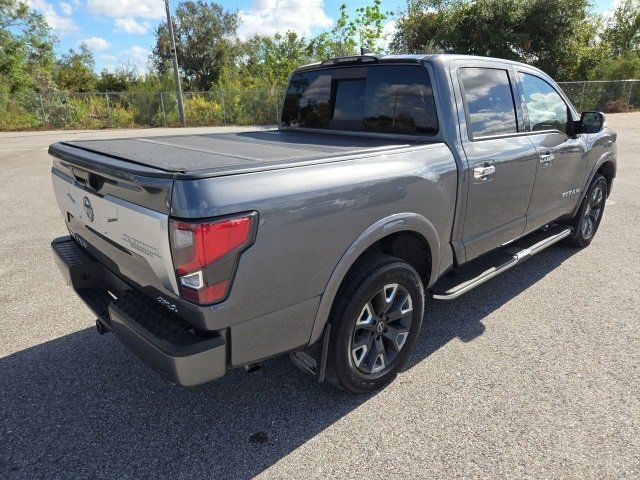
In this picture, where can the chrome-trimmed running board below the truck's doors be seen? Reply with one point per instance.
(450, 288)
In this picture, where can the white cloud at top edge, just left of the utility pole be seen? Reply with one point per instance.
(135, 15)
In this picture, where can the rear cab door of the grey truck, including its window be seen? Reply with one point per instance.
(501, 161)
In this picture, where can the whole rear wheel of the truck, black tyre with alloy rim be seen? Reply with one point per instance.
(375, 323)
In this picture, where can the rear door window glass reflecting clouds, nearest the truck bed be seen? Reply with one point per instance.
(489, 101)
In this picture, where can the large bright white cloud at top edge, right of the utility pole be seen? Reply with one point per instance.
(267, 17)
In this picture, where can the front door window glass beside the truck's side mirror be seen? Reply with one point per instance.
(545, 106)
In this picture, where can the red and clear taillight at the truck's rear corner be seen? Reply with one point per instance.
(205, 255)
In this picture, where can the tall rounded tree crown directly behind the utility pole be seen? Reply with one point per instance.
(206, 42)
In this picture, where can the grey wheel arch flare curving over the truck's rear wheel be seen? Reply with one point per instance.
(398, 222)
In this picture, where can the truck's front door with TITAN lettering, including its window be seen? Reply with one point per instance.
(561, 166)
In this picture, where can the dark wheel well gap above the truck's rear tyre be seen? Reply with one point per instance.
(410, 247)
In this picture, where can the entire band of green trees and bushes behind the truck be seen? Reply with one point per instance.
(245, 77)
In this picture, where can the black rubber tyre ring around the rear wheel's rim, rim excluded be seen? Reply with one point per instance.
(349, 375)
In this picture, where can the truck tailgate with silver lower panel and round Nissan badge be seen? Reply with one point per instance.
(120, 218)
